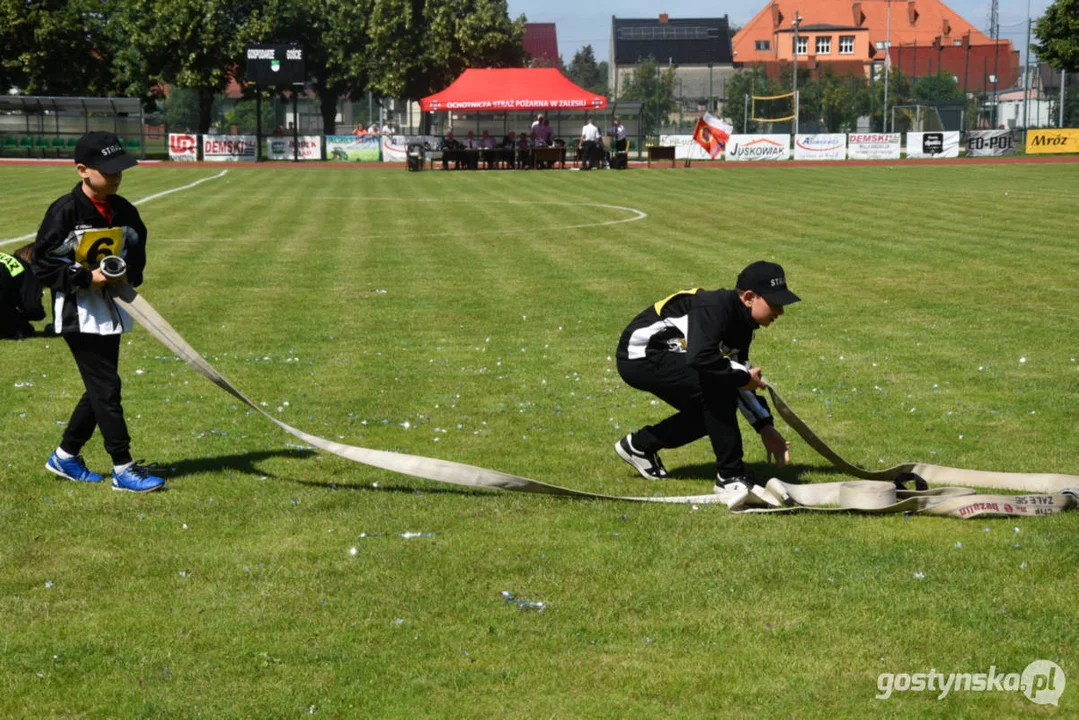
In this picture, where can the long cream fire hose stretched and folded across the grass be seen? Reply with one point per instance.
(878, 493)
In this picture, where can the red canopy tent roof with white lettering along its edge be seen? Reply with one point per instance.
(513, 89)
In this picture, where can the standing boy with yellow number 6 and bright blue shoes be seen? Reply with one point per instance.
(79, 230)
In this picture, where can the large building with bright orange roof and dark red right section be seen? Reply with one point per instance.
(925, 36)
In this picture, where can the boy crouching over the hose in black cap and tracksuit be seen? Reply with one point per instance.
(692, 351)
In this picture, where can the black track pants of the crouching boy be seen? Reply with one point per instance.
(714, 414)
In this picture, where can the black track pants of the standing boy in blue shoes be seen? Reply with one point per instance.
(98, 358)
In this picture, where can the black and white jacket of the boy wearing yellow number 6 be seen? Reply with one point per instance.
(61, 235)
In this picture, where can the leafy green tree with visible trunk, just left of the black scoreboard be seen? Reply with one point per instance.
(189, 44)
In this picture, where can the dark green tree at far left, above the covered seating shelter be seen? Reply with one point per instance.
(52, 48)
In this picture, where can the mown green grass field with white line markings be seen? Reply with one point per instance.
(473, 317)
